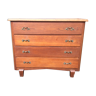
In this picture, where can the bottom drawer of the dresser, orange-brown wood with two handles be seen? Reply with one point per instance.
(47, 62)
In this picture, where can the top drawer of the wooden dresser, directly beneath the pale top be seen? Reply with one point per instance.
(47, 27)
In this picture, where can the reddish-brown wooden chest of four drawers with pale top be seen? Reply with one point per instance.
(48, 44)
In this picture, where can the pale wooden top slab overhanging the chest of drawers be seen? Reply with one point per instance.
(82, 19)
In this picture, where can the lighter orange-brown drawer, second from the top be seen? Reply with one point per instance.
(47, 40)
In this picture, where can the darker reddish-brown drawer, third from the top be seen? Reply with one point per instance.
(47, 52)
